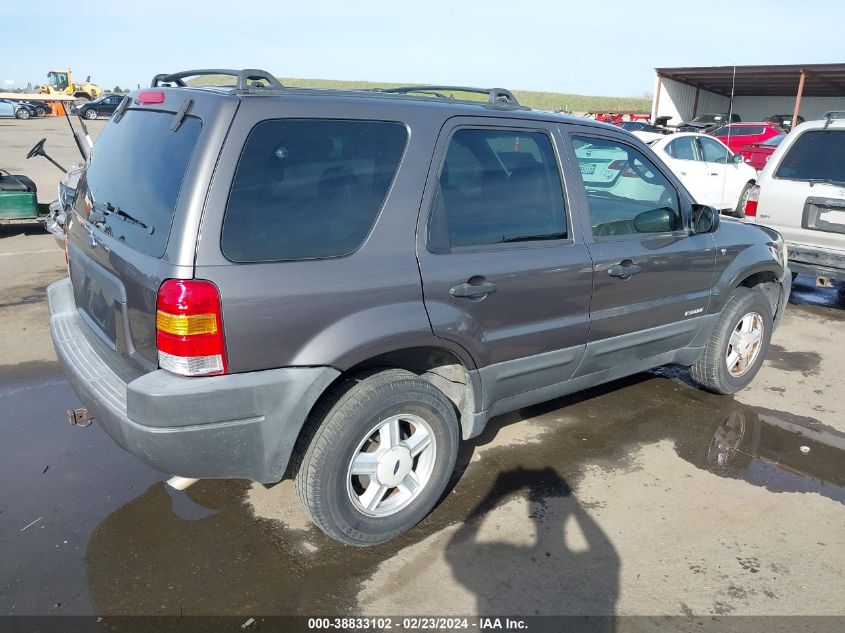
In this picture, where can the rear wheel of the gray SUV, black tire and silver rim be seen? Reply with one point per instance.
(338, 430)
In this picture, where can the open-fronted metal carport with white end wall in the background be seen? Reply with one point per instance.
(757, 91)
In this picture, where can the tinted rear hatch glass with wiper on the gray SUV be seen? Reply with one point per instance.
(134, 177)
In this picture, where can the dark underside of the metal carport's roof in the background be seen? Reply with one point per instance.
(820, 80)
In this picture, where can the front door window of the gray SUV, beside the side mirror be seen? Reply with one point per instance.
(626, 193)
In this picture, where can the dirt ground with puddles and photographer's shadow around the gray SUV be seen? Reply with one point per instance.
(611, 501)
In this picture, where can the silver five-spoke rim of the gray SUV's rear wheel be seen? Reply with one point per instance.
(392, 465)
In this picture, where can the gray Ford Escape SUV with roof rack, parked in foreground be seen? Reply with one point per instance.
(340, 286)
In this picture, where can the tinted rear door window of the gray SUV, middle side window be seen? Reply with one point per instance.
(497, 187)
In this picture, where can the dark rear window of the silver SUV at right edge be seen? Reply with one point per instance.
(815, 154)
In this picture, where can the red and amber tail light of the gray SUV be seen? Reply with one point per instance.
(189, 328)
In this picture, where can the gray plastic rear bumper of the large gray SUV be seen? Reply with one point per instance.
(235, 426)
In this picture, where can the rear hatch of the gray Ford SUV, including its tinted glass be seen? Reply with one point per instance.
(137, 211)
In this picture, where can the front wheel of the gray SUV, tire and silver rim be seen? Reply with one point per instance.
(711, 371)
